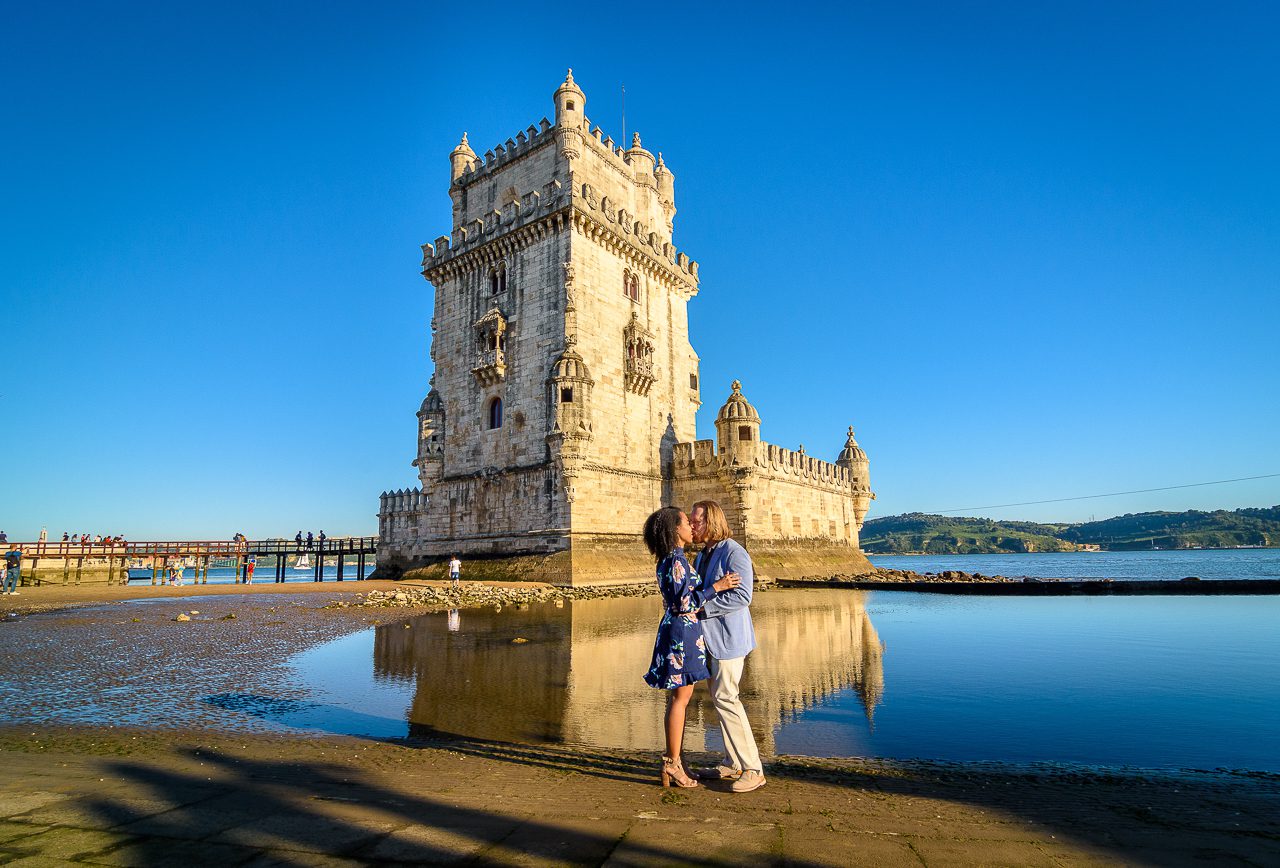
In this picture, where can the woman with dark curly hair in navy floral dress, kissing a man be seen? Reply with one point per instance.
(679, 654)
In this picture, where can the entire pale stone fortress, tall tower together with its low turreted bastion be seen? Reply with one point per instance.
(561, 409)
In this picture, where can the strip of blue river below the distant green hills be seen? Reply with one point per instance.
(1206, 564)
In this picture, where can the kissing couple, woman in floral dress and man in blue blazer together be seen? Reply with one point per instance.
(706, 633)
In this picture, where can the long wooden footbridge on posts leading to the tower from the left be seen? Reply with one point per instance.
(117, 558)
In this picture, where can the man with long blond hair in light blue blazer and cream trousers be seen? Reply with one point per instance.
(730, 638)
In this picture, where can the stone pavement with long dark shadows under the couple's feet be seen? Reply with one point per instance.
(157, 798)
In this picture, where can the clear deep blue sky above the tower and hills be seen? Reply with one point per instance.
(1028, 250)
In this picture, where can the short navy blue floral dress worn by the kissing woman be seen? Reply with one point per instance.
(679, 654)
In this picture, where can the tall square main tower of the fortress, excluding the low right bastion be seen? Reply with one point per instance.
(564, 372)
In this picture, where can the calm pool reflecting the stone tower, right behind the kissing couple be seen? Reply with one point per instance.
(1148, 682)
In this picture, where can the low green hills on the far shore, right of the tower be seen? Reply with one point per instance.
(920, 533)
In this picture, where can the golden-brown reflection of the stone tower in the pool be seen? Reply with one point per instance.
(577, 677)
